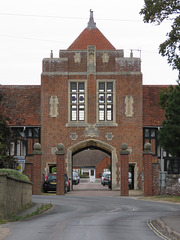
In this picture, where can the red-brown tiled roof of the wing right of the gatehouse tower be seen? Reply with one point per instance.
(152, 112)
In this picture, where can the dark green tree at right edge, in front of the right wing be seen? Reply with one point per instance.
(169, 134)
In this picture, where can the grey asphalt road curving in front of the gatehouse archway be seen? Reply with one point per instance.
(81, 216)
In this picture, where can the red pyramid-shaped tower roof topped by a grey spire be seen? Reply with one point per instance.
(91, 36)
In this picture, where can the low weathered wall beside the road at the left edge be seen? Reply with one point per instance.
(13, 195)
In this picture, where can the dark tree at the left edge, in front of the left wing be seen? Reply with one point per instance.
(6, 139)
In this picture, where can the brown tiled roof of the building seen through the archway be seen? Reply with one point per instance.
(88, 158)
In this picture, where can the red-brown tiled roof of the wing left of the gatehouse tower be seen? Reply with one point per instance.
(21, 104)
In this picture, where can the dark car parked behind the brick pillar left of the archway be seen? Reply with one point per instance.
(51, 181)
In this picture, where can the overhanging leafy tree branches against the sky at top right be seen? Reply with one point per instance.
(157, 11)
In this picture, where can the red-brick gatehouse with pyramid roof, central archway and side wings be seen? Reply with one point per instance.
(91, 98)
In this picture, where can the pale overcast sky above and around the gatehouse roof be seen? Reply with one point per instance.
(29, 30)
